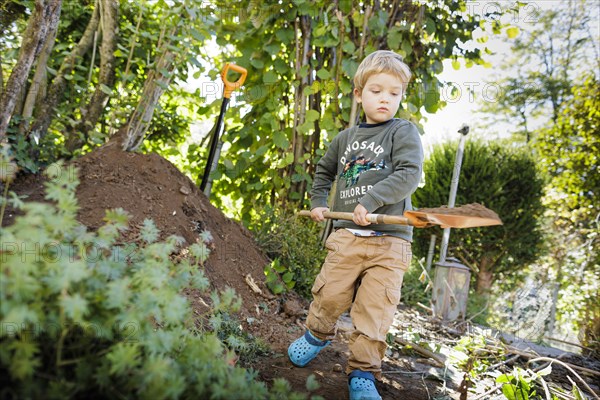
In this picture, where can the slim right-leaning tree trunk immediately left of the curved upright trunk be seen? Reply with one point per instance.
(46, 112)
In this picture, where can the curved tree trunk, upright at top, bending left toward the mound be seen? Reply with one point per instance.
(92, 112)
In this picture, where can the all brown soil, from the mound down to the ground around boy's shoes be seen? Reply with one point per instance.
(148, 186)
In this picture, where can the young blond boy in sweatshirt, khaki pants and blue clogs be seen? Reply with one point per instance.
(379, 165)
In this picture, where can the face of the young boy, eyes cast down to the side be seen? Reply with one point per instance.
(380, 97)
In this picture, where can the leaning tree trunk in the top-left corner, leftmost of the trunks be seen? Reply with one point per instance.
(43, 20)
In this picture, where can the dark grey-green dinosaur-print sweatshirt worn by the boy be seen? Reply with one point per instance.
(378, 166)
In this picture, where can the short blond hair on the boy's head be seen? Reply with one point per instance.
(382, 61)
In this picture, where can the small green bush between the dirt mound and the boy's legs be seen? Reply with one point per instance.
(294, 245)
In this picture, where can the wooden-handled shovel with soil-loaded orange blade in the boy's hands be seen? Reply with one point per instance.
(443, 217)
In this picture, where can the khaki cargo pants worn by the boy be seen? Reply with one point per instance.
(378, 263)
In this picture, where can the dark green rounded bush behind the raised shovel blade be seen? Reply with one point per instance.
(502, 179)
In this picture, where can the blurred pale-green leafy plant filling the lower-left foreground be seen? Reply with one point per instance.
(85, 314)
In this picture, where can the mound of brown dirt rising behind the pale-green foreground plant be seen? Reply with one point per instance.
(148, 186)
